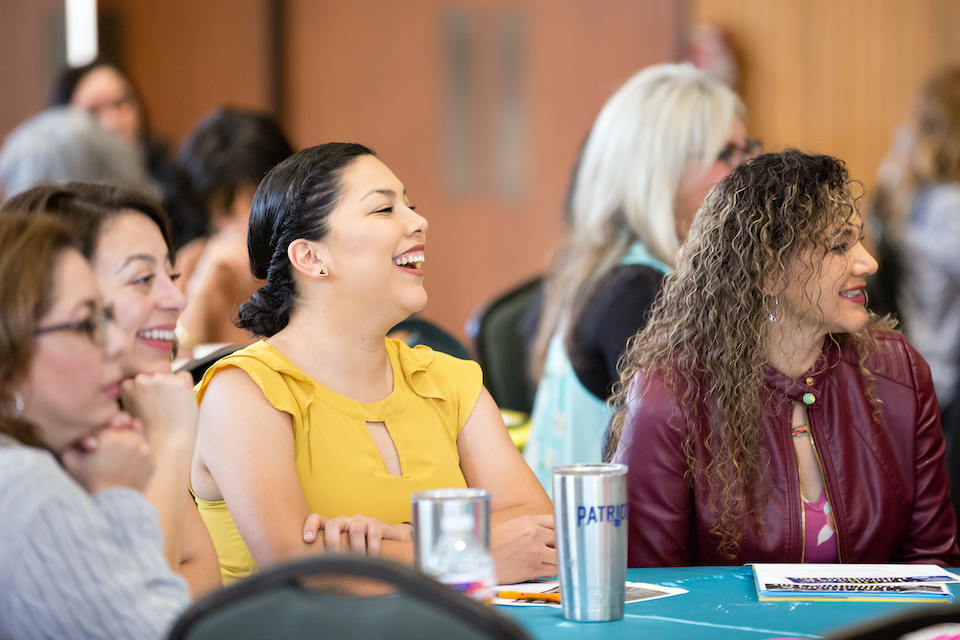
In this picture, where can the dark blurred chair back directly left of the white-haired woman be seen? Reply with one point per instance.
(500, 347)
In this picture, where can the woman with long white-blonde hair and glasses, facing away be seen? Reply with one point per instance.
(658, 146)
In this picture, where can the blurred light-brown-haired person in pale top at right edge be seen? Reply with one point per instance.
(919, 212)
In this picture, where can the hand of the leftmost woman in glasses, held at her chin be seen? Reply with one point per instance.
(117, 456)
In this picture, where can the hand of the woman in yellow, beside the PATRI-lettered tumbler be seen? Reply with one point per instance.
(524, 548)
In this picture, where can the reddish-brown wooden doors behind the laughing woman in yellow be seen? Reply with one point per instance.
(373, 72)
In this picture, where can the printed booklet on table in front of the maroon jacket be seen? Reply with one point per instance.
(853, 582)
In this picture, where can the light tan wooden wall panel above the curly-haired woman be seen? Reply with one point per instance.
(834, 76)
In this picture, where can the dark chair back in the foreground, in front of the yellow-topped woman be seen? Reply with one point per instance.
(342, 597)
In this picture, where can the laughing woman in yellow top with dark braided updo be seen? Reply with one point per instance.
(327, 415)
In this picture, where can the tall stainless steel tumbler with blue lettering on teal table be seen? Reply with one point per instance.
(590, 505)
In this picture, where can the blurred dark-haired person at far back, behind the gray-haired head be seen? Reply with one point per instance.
(109, 95)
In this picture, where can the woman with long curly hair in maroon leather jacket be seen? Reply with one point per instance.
(765, 413)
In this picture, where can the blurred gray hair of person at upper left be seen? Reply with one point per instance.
(61, 145)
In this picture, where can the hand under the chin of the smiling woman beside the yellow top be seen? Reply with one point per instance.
(165, 405)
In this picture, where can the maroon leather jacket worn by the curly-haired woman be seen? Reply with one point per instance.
(886, 483)
